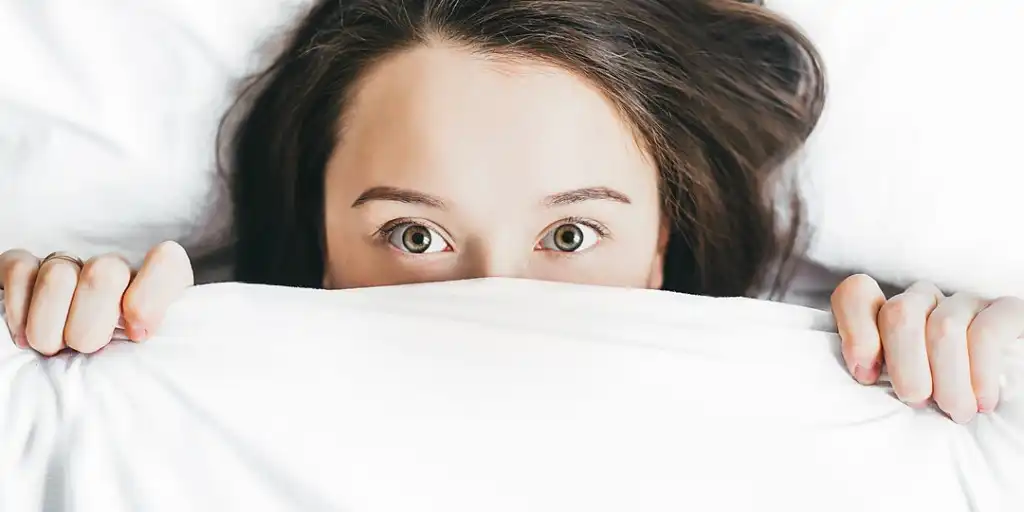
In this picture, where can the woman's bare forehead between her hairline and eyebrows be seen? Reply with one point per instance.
(448, 121)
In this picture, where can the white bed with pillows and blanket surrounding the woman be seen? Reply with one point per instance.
(500, 395)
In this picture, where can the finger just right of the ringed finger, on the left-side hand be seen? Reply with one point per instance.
(97, 304)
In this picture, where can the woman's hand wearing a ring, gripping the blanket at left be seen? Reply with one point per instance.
(61, 303)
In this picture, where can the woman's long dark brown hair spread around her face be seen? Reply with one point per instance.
(723, 93)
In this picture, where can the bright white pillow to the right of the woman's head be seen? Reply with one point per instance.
(916, 172)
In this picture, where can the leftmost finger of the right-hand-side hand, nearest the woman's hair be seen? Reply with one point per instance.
(857, 304)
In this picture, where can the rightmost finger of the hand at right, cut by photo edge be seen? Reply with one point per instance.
(1003, 321)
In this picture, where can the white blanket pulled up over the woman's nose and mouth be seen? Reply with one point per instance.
(487, 396)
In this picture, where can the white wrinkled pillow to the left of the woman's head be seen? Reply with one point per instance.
(108, 115)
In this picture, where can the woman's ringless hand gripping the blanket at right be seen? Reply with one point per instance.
(947, 350)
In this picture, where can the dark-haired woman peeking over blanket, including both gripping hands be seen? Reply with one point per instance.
(619, 143)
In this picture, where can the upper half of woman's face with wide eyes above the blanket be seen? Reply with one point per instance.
(457, 165)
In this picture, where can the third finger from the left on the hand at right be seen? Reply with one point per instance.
(948, 355)
